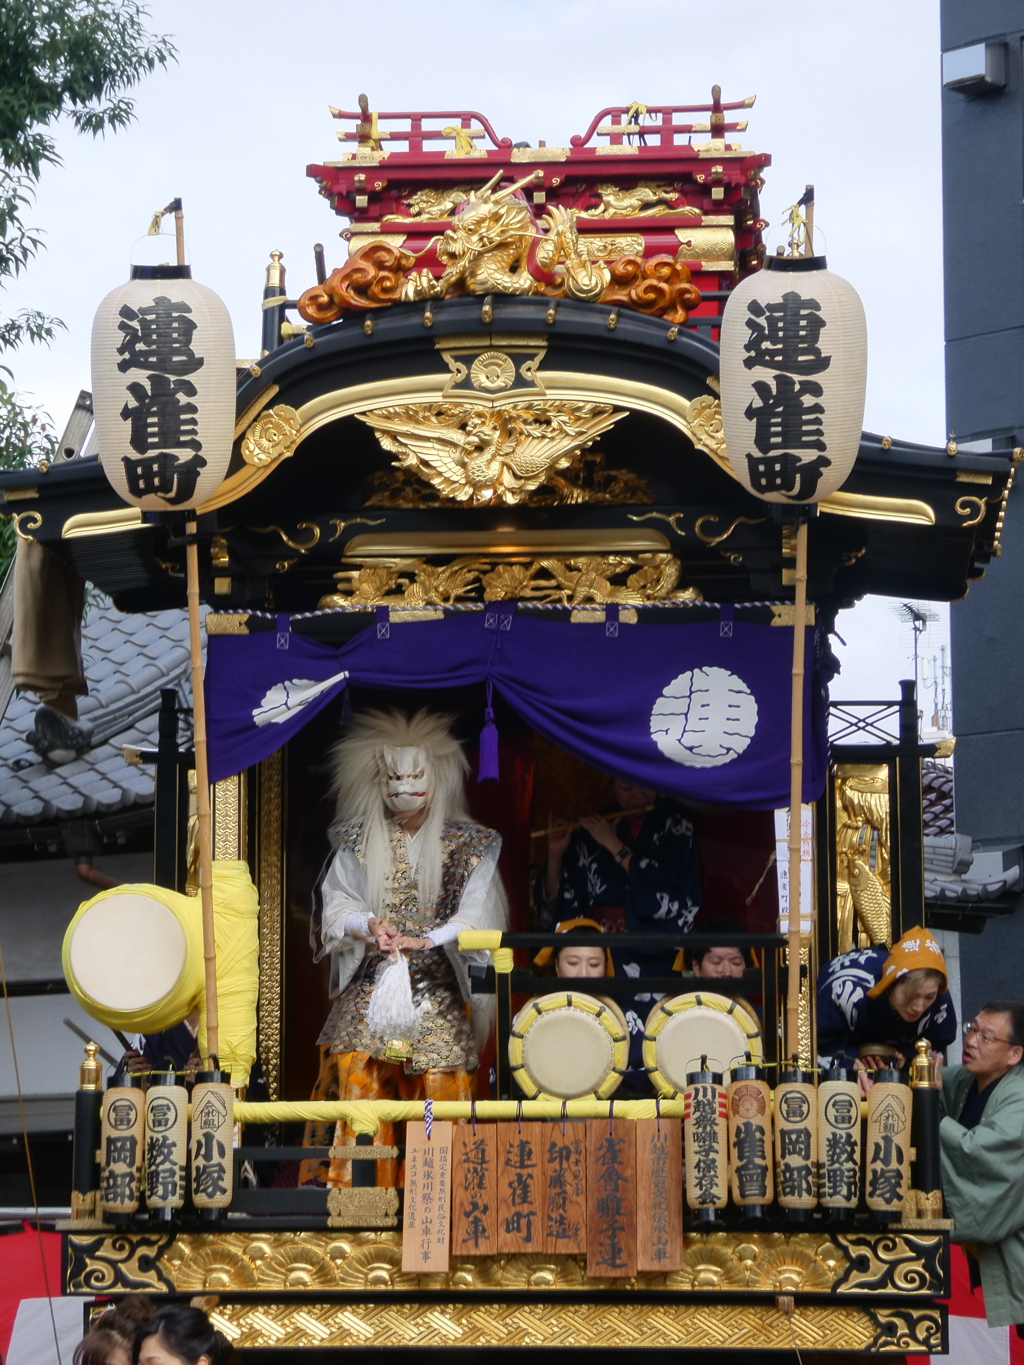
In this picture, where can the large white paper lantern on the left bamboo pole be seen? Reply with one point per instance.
(165, 388)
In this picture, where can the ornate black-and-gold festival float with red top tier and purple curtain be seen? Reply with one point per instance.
(502, 416)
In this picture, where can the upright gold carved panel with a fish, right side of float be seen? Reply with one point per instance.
(864, 870)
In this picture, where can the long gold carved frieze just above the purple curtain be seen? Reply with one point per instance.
(570, 581)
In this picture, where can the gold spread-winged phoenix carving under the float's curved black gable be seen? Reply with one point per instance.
(481, 455)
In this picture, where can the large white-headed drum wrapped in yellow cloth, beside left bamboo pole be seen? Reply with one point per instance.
(133, 958)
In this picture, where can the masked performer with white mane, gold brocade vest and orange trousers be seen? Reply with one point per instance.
(410, 873)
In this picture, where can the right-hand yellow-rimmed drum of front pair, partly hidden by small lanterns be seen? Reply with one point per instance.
(683, 1030)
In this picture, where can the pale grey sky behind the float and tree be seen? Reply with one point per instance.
(849, 99)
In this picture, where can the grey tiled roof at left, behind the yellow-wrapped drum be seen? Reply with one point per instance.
(128, 661)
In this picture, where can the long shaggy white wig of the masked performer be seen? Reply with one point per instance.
(360, 769)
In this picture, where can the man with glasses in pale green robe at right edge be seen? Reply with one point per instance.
(982, 1146)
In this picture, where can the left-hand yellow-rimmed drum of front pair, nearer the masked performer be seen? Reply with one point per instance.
(569, 1046)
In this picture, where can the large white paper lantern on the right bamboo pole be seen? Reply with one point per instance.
(794, 372)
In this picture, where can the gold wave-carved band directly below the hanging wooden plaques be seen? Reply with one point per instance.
(891, 1263)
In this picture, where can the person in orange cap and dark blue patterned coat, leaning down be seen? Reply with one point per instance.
(874, 1004)
